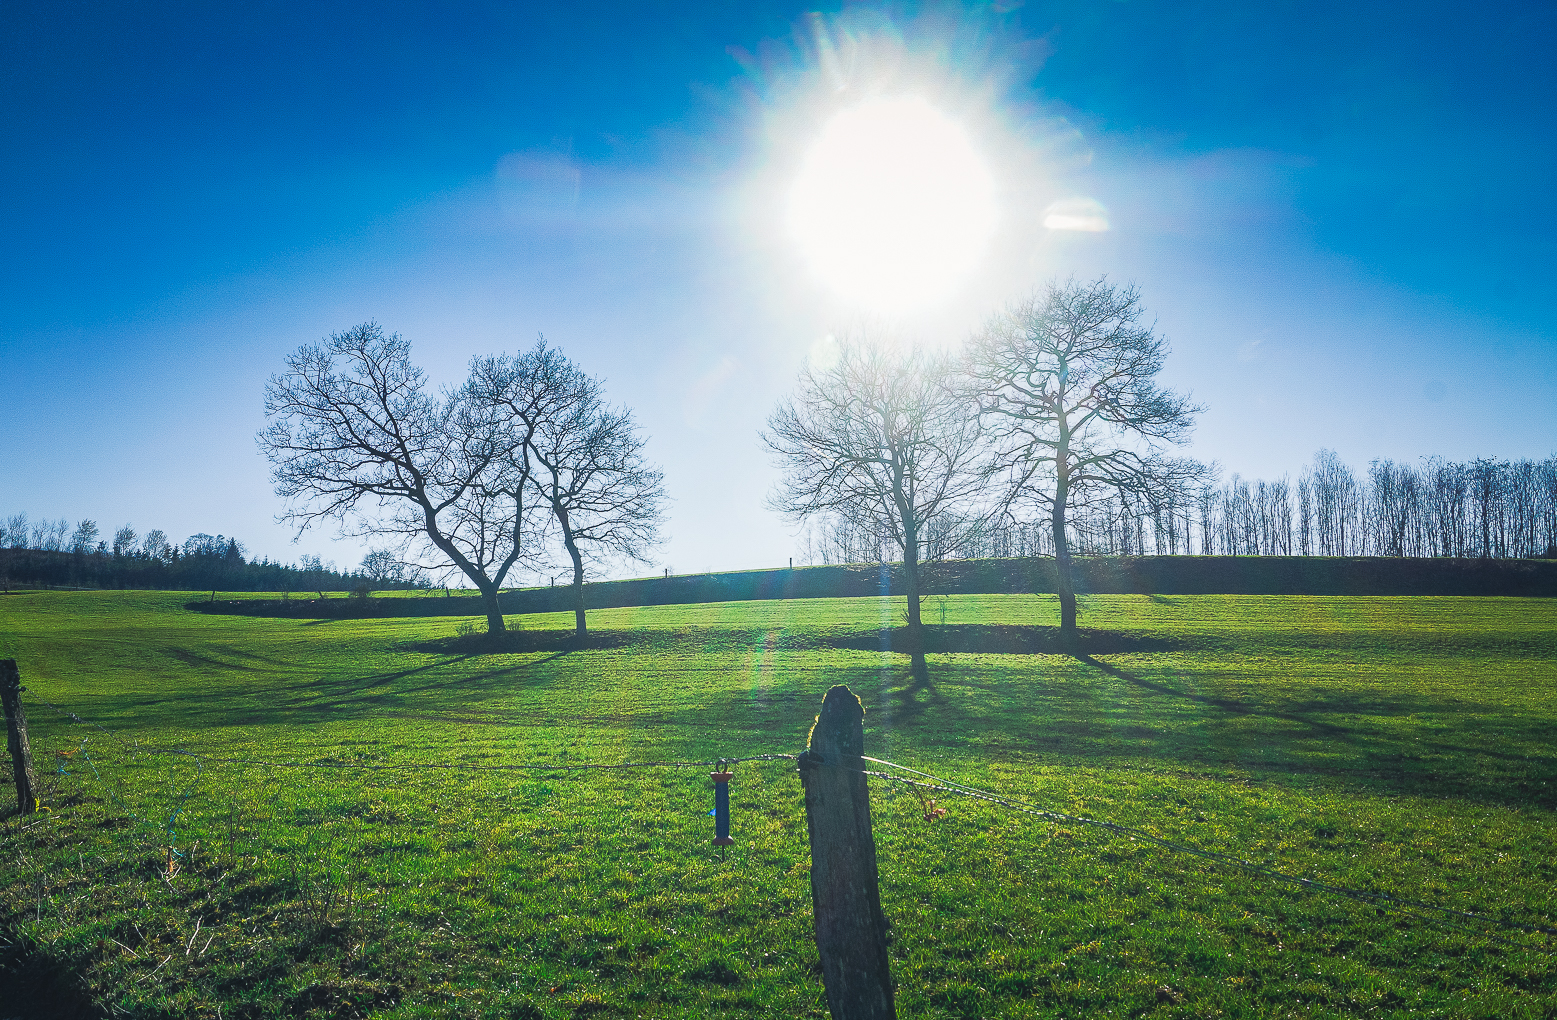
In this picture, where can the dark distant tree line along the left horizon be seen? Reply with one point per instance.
(55, 554)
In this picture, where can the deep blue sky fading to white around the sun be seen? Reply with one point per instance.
(1341, 216)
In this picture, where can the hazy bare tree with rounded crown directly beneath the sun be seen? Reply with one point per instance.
(882, 441)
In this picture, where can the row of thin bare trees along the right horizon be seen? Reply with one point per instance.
(1486, 508)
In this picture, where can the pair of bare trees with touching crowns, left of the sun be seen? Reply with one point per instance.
(519, 466)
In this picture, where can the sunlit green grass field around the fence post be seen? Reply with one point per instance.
(1399, 745)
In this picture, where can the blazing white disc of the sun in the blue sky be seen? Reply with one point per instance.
(894, 206)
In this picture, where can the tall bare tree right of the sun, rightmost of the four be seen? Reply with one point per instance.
(1066, 384)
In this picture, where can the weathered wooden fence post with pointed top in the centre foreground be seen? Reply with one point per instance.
(851, 930)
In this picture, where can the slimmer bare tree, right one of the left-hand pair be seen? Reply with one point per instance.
(580, 457)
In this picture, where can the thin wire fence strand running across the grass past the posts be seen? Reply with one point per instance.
(907, 776)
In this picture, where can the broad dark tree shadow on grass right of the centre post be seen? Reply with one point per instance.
(1055, 716)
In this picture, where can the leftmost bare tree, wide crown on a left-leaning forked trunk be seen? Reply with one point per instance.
(356, 437)
